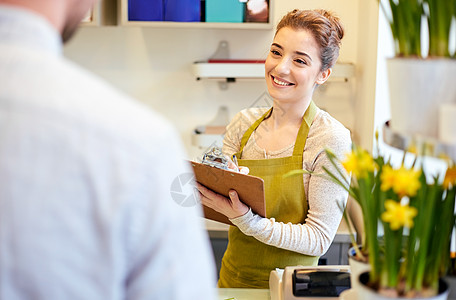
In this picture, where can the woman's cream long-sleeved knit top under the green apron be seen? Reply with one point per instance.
(325, 198)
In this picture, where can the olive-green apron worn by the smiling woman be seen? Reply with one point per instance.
(248, 262)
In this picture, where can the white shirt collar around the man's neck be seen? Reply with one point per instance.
(28, 29)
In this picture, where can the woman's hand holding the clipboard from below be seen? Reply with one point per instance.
(231, 207)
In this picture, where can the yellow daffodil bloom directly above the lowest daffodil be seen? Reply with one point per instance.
(404, 182)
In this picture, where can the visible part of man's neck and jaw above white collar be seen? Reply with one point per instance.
(64, 15)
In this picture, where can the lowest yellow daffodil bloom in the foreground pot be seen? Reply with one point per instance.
(398, 215)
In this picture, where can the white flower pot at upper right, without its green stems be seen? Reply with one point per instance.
(417, 88)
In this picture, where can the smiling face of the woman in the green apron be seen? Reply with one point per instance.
(292, 68)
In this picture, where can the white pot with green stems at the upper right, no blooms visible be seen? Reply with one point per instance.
(421, 75)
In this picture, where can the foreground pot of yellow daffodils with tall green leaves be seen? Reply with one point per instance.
(413, 213)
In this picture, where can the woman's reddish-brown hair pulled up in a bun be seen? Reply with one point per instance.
(324, 26)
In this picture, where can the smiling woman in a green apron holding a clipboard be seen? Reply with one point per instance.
(303, 213)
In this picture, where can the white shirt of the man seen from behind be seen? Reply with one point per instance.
(85, 184)
